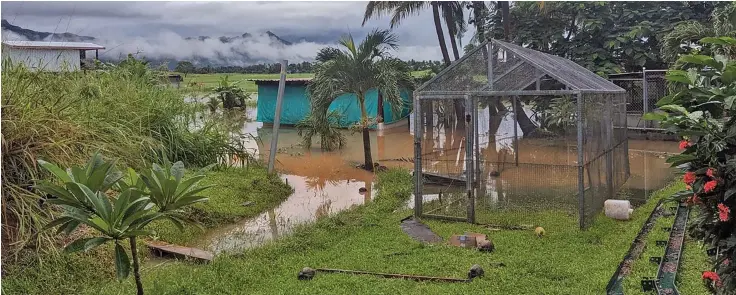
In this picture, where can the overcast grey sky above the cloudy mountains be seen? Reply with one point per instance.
(158, 27)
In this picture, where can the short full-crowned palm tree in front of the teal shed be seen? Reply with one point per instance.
(356, 70)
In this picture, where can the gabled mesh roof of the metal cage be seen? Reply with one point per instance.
(575, 78)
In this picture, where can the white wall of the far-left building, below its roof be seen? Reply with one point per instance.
(52, 60)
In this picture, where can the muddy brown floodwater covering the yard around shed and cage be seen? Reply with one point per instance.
(327, 182)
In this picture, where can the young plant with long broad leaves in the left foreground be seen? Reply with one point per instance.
(114, 220)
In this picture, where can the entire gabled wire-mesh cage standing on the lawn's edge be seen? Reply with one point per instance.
(545, 138)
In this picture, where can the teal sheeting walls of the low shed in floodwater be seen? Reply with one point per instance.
(296, 104)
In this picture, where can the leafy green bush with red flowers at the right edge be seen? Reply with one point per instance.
(699, 112)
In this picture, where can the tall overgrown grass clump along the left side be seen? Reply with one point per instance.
(65, 117)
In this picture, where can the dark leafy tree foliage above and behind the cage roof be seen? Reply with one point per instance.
(605, 37)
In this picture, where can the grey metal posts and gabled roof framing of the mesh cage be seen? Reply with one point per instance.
(513, 71)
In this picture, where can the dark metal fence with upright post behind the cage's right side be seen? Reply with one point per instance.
(643, 89)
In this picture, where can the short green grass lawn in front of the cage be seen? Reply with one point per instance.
(565, 261)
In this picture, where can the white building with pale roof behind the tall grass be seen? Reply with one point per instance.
(49, 56)
